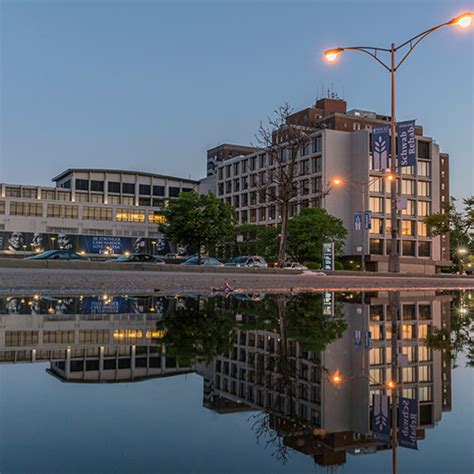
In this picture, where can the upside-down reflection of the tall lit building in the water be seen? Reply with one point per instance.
(306, 408)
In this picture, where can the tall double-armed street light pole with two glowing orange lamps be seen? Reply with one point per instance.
(464, 20)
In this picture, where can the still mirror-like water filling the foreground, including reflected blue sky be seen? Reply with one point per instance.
(237, 384)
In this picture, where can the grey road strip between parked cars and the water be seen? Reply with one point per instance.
(26, 281)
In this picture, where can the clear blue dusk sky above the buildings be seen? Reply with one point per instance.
(151, 85)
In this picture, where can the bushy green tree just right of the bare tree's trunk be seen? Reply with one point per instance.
(308, 231)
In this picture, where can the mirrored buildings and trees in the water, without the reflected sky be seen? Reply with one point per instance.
(295, 363)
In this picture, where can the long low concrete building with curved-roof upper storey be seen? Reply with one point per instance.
(90, 211)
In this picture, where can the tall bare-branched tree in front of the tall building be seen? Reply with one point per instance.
(283, 140)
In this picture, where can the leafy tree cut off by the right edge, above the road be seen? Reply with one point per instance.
(458, 223)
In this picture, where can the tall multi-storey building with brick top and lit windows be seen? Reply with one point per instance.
(340, 146)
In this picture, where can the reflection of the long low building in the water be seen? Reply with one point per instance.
(88, 340)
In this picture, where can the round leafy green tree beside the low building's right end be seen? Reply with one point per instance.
(198, 220)
